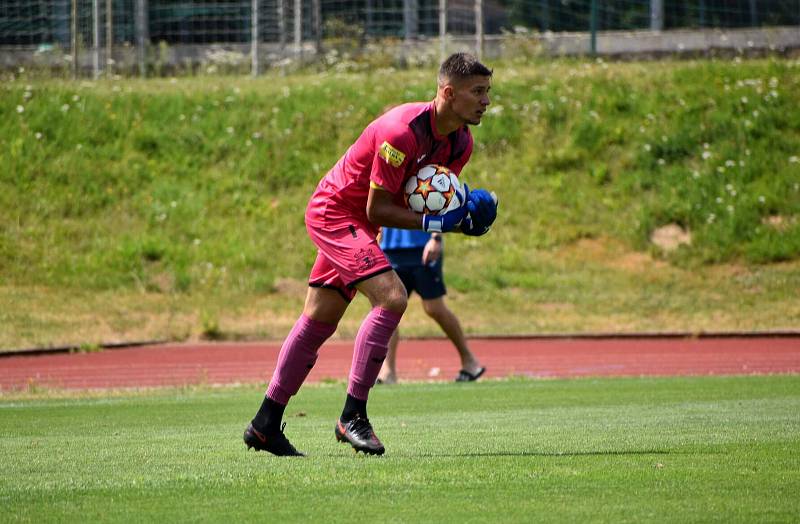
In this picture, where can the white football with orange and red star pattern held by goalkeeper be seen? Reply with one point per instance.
(434, 190)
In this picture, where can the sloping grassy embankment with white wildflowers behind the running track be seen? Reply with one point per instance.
(168, 209)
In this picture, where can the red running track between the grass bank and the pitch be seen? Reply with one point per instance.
(429, 359)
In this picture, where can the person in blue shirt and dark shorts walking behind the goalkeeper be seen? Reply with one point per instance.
(416, 256)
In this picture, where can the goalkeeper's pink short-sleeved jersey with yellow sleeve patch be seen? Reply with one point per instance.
(393, 147)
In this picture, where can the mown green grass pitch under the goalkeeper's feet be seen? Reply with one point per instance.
(606, 450)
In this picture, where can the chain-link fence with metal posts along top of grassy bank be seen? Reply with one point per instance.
(155, 36)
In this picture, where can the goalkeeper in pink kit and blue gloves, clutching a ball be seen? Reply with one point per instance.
(363, 192)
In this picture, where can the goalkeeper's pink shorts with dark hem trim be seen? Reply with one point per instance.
(348, 253)
